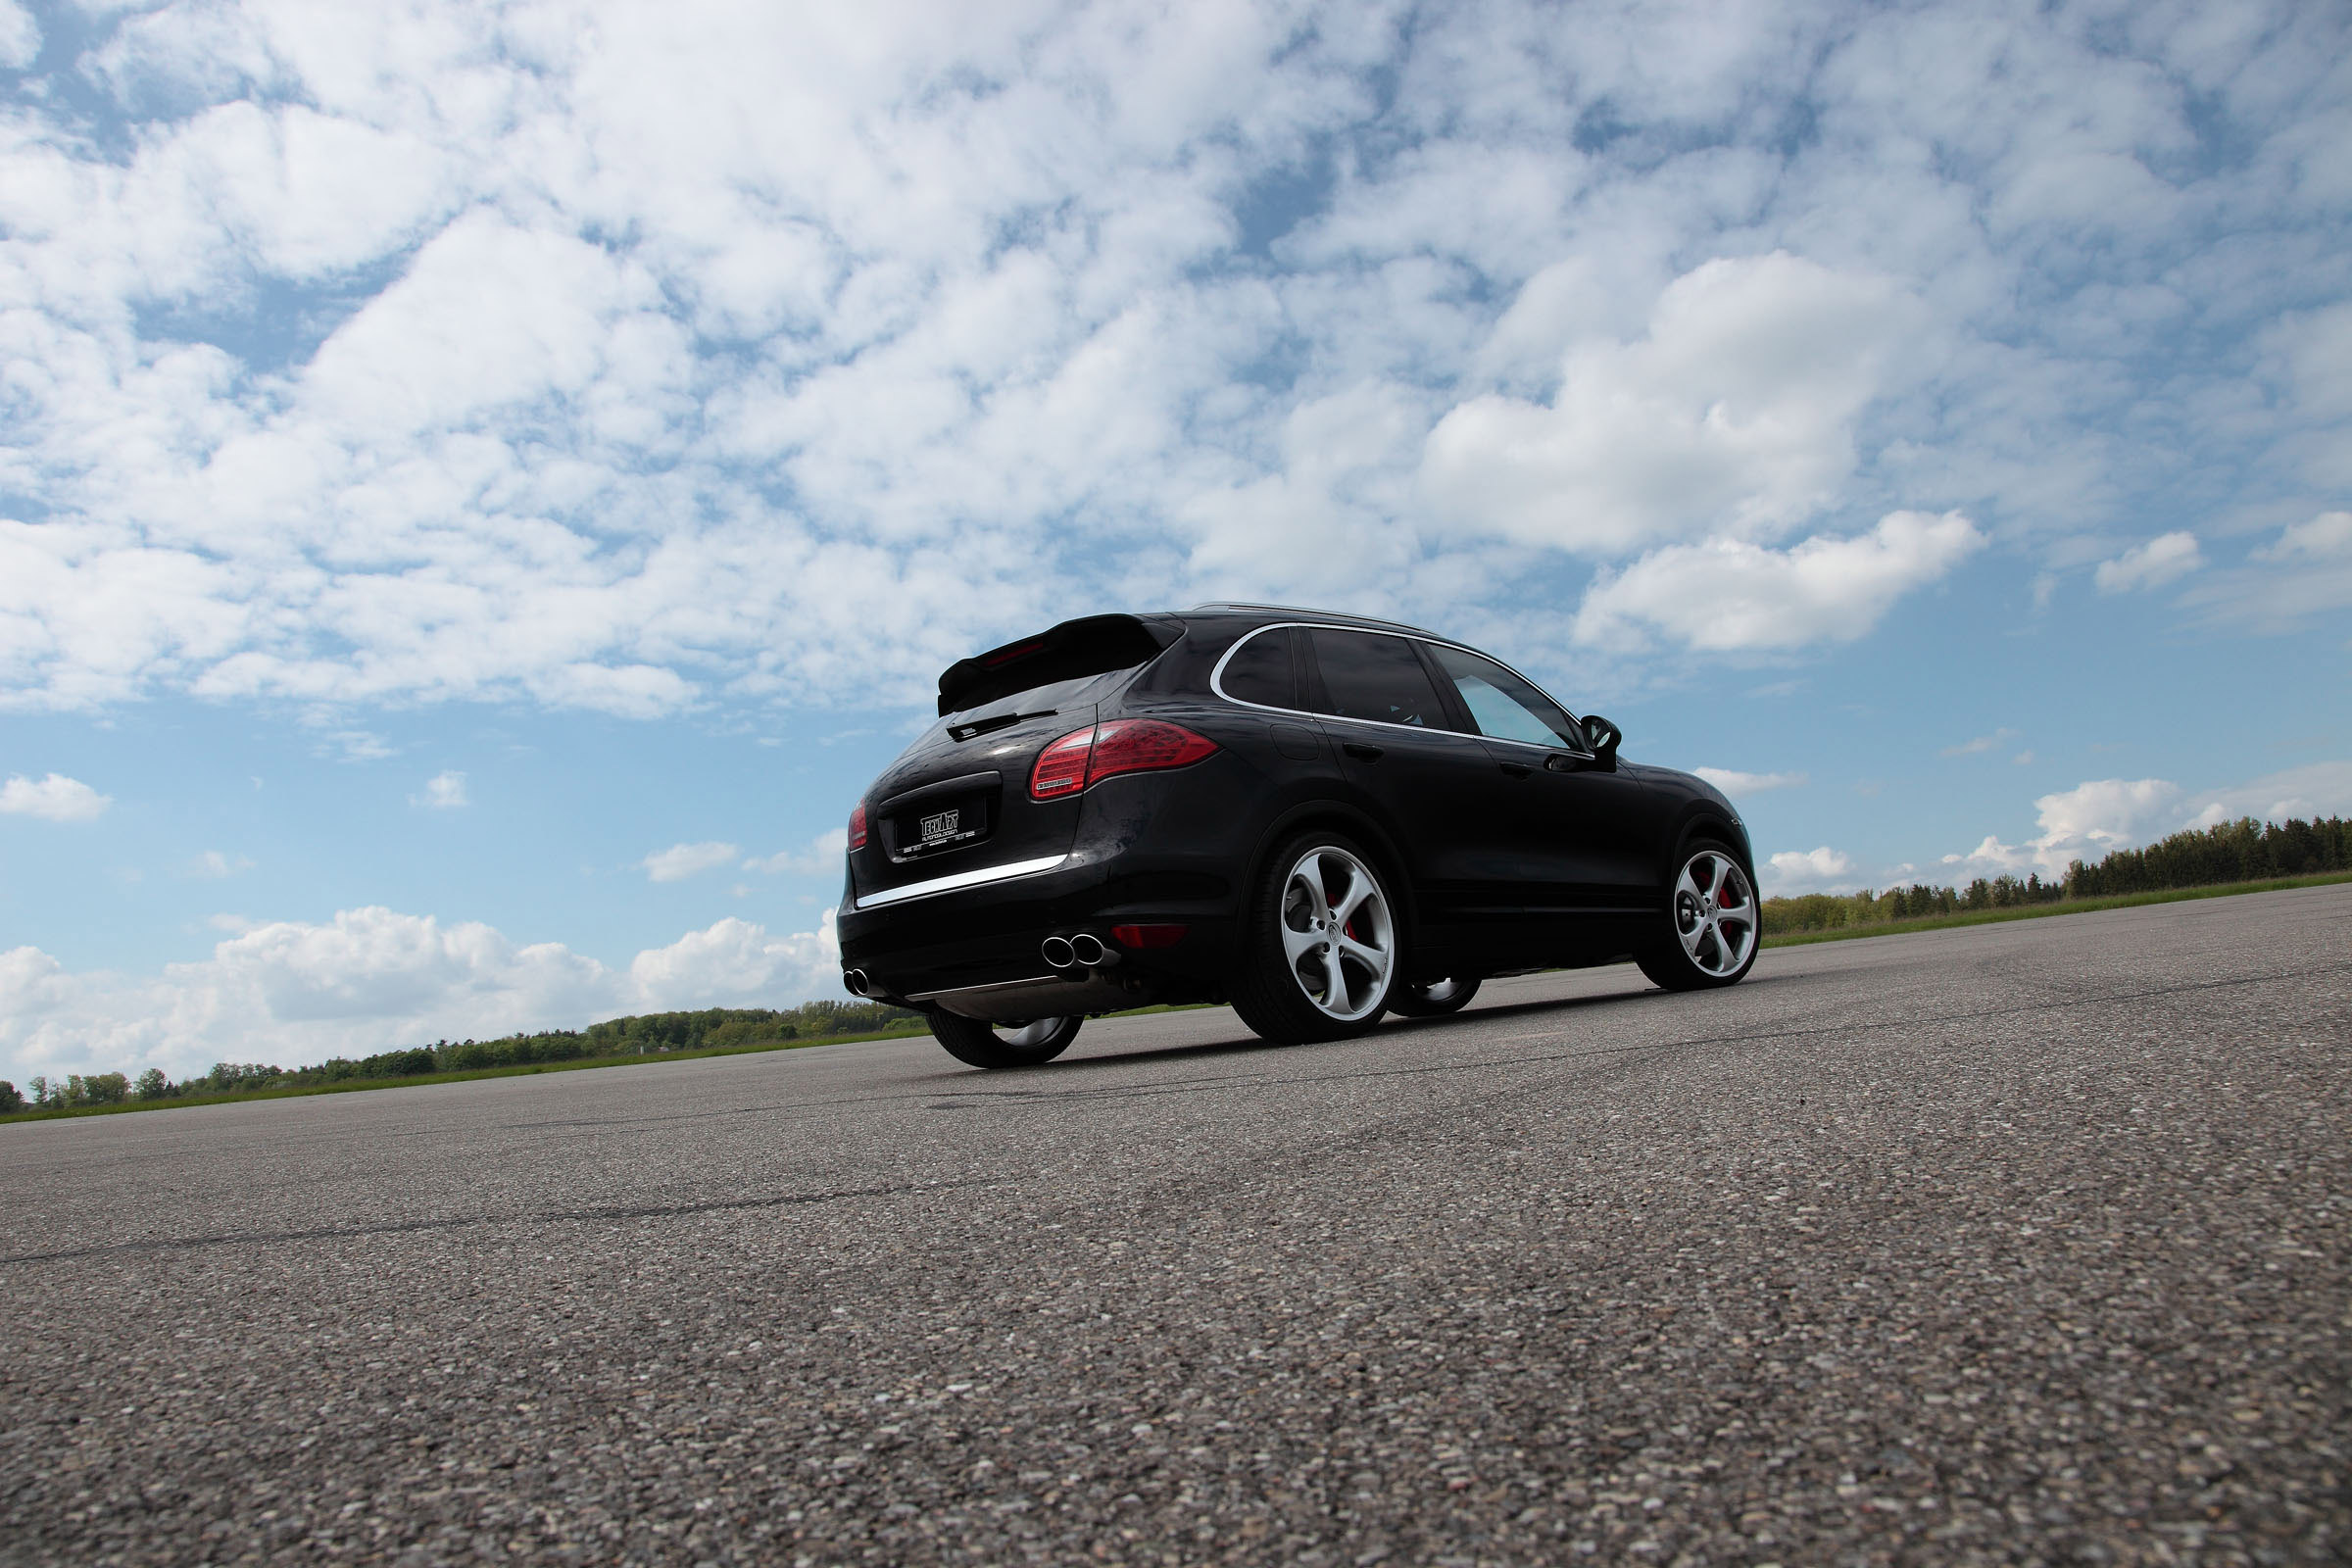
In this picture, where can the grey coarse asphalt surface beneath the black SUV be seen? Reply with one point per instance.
(1998, 1245)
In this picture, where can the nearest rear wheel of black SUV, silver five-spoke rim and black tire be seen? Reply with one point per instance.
(1283, 984)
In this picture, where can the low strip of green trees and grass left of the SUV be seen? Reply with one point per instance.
(620, 1038)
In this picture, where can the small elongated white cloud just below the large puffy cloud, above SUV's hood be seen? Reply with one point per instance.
(1730, 594)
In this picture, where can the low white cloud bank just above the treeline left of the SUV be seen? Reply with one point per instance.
(368, 981)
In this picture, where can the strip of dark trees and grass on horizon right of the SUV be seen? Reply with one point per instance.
(2200, 857)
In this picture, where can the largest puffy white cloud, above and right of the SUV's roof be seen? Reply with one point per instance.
(1735, 415)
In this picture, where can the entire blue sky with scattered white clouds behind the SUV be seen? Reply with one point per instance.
(486, 485)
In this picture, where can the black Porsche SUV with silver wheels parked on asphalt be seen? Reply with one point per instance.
(1311, 817)
